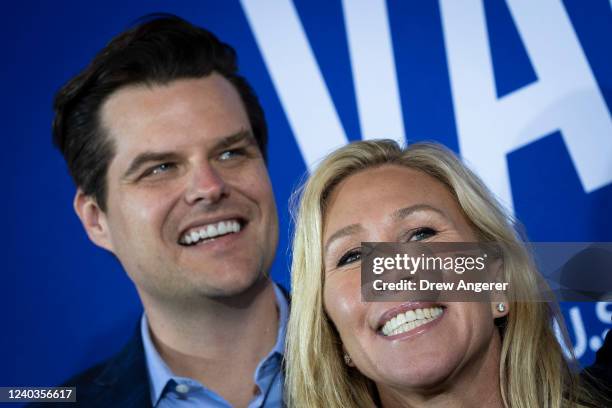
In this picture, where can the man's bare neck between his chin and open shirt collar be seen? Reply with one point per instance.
(218, 343)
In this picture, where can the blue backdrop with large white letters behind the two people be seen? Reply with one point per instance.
(521, 89)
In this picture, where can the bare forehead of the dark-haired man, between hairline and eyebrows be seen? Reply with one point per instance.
(207, 109)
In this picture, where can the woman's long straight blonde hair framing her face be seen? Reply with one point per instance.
(533, 371)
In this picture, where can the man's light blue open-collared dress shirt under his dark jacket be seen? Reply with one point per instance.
(169, 390)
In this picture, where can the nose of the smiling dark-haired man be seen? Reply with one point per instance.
(206, 185)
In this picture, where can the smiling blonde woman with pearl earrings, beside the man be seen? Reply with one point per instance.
(500, 354)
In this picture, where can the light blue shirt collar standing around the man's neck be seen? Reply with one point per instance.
(160, 374)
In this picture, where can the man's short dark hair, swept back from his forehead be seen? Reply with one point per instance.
(157, 51)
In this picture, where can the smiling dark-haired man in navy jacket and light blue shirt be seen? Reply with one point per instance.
(167, 146)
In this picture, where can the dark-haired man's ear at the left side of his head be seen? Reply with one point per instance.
(93, 219)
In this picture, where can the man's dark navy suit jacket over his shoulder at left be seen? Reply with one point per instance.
(120, 382)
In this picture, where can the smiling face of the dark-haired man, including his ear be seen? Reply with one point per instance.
(187, 168)
